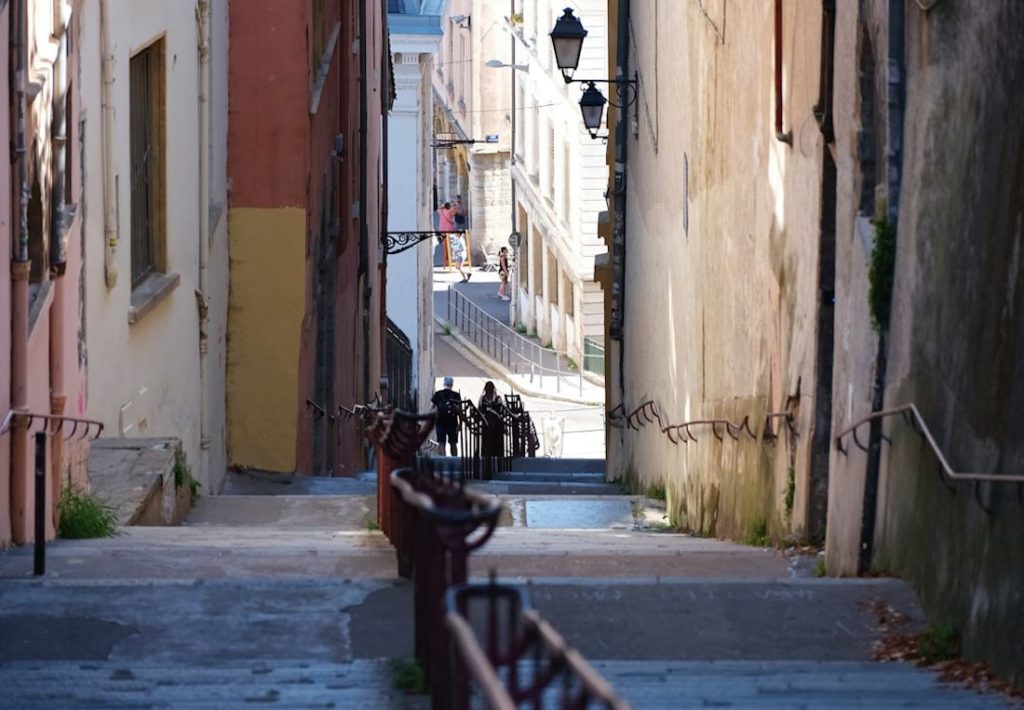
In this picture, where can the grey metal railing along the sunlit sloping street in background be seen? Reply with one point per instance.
(521, 355)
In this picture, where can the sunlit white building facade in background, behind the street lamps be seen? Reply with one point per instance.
(561, 180)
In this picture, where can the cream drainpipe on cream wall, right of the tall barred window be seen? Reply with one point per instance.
(203, 25)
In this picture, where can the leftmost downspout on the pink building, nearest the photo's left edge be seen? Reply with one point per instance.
(20, 269)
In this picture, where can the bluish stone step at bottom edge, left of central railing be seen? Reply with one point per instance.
(361, 684)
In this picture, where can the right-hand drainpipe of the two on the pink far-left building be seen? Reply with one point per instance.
(59, 256)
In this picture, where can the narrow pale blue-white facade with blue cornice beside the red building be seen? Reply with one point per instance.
(415, 32)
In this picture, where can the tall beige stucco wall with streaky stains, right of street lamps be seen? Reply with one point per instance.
(720, 318)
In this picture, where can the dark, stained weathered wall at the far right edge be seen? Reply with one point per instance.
(958, 330)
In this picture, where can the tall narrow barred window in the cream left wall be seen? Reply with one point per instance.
(147, 138)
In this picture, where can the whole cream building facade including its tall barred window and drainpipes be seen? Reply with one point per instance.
(154, 104)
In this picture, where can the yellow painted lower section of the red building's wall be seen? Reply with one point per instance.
(268, 297)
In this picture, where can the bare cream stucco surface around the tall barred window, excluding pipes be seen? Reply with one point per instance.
(145, 378)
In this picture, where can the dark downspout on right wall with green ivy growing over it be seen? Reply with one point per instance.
(895, 100)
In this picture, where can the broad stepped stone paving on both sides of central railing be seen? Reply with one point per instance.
(294, 601)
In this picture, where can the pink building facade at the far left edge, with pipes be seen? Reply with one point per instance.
(44, 358)
